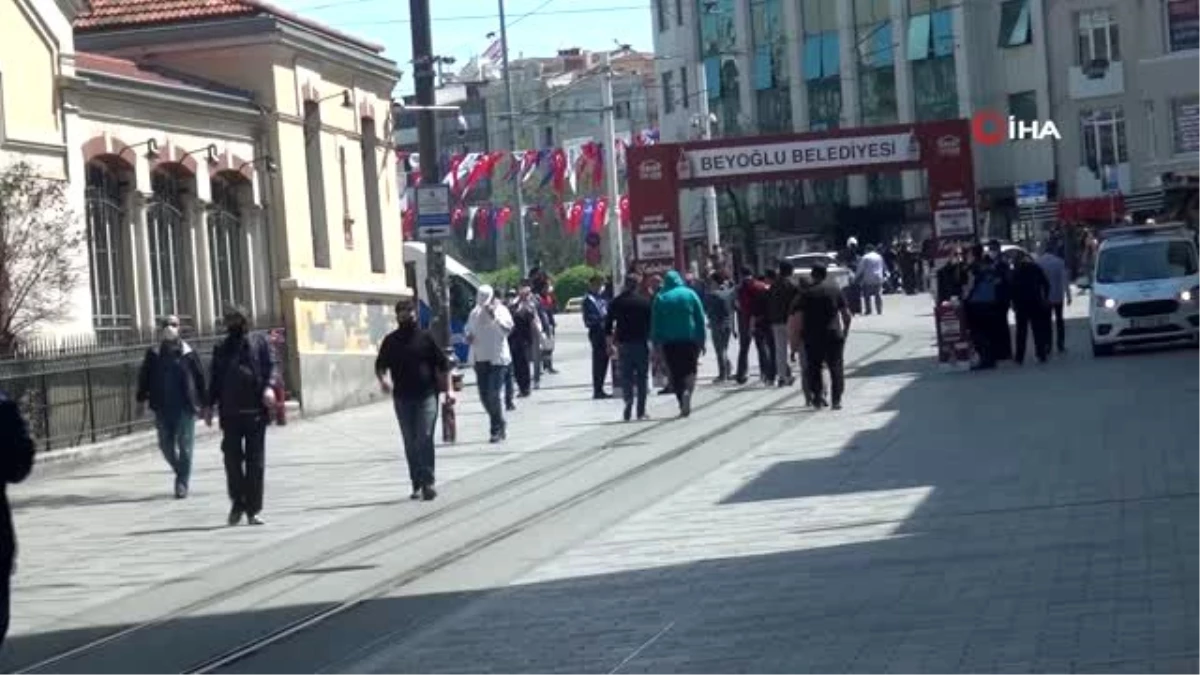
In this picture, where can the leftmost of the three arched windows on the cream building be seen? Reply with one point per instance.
(106, 249)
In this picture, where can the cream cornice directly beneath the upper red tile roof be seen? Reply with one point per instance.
(242, 32)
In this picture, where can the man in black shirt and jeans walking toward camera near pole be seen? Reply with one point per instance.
(413, 369)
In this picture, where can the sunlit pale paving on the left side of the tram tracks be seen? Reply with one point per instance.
(99, 533)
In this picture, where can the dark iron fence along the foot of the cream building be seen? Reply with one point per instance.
(85, 391)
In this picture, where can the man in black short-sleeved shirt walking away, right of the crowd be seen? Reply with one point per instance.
(824, 324)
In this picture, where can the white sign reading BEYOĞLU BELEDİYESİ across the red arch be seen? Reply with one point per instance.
(857, 153)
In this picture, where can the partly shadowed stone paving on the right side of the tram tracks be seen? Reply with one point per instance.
(1031, 521)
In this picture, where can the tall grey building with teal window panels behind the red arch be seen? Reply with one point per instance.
(794, 67)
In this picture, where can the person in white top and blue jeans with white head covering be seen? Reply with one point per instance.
(488, 333)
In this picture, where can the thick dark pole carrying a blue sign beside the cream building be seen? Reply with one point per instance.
(428, 147)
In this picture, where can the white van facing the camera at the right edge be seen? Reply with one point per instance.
(1147, 288)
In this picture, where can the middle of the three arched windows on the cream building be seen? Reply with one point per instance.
(165, 222)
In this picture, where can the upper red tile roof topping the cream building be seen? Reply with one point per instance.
(130, 14)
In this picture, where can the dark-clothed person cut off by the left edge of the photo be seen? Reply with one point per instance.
(16, 465)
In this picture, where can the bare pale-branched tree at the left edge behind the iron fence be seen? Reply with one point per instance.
(41, 254)
